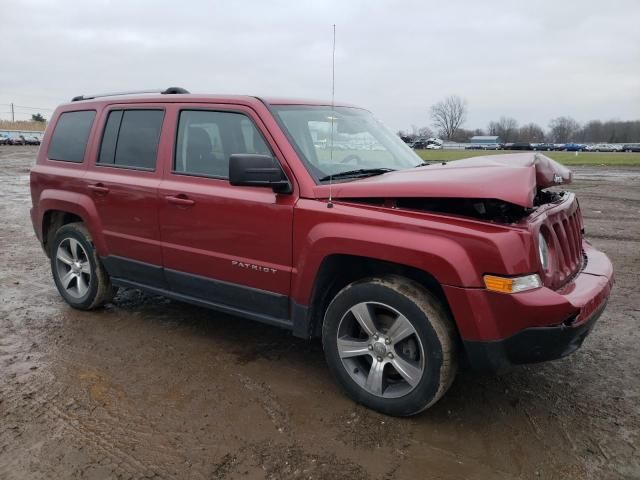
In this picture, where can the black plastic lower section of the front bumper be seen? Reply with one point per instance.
(531, 345)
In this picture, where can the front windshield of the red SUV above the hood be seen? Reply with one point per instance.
(360, 142)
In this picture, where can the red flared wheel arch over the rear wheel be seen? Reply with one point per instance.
(78, 204)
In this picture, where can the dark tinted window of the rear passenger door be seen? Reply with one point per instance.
(130, 138)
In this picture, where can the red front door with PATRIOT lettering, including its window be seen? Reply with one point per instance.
(230, 246)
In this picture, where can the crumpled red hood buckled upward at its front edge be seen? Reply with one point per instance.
(500, 188)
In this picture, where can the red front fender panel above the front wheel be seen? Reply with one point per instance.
(454, 251)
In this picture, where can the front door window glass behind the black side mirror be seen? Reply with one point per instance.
(206, 139)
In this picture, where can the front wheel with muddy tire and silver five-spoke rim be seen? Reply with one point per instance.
(421, 341)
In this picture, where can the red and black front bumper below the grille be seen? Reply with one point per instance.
(535, 326)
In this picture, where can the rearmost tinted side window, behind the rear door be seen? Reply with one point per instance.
(69, 140)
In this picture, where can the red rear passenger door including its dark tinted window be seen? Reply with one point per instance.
(123, 182)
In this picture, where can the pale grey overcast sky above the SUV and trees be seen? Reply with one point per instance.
(533, 60)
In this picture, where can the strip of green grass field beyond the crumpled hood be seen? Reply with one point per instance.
(566, 158)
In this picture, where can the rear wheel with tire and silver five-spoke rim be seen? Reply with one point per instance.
(76, 268)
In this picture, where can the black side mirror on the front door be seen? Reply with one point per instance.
(252, 170)
